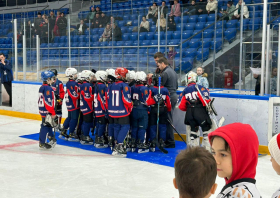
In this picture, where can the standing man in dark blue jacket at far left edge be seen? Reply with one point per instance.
(6, 75)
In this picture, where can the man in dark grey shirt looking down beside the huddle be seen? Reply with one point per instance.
(169, 80)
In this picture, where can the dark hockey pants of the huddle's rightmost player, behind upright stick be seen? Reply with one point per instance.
(162, 123)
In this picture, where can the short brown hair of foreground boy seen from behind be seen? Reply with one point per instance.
(195, 172)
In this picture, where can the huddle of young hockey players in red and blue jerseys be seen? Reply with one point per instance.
(118, 107)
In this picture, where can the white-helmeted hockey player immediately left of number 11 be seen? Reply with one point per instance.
(100, 110)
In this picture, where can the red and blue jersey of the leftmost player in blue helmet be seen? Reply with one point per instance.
(46, 102)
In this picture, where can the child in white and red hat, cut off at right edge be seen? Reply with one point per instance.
(274, 149)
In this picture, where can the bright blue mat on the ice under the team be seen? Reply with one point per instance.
(151, 157)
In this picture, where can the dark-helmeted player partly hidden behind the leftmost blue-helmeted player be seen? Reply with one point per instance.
(59, 92)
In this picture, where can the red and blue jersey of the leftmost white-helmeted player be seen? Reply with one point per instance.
(72, 95)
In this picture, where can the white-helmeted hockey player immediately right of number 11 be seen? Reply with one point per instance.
(139, 114)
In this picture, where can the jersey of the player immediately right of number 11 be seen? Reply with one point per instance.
(140, 95)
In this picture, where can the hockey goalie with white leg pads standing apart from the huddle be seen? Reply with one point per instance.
(196, 115)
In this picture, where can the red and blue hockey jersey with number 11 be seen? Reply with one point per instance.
(118, 100)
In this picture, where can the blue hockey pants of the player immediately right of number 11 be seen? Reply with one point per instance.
(139, 123)
